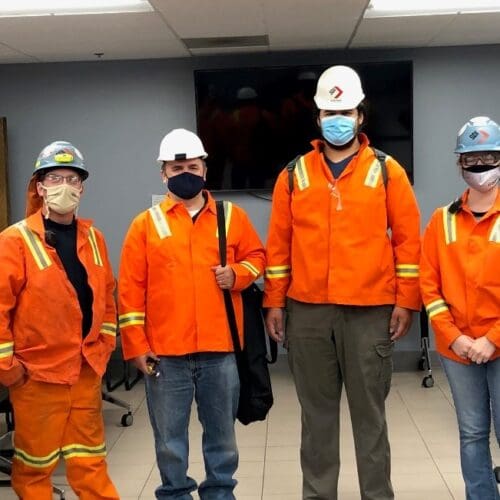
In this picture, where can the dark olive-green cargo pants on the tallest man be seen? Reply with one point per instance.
(330, 346)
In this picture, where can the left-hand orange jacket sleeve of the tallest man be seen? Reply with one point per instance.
(279, 240)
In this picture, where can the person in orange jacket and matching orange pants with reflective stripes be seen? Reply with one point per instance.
(57, 331)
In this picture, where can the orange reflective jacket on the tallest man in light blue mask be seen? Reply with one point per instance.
(329, 242)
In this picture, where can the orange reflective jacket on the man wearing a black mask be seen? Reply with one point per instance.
(169, 301)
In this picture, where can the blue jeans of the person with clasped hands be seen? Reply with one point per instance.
(476, 394)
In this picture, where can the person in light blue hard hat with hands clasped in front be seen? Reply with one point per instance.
(460, 284)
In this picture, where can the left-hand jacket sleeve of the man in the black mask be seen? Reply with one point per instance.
(132, 286)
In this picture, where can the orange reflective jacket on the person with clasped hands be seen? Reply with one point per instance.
(460, 276)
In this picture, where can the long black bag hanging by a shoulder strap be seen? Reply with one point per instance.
(256, 395)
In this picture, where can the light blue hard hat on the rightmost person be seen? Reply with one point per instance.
(478, 134)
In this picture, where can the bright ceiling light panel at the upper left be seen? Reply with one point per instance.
(27, 8)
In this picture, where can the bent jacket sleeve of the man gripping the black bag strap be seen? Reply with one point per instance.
(250, 255)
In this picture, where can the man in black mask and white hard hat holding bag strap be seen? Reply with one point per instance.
(173, 320)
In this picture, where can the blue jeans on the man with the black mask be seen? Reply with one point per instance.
(212, 380)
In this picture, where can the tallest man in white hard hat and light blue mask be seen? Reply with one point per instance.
(342, 259)
